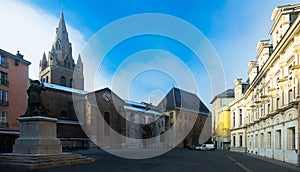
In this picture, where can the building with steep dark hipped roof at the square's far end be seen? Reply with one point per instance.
(185, 118)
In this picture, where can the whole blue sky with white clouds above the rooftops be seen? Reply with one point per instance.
(144, 67)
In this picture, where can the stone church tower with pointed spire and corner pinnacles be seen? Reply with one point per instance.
(58, 67)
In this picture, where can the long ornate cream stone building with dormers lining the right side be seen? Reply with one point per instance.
(265, 116)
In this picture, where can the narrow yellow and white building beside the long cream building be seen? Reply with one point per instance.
(221, 119)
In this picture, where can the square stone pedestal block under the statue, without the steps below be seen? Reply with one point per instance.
(37, 136)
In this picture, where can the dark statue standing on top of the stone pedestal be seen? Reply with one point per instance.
(34, 102)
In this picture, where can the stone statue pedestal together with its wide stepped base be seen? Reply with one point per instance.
(38, 147)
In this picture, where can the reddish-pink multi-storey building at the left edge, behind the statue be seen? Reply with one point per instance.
(13, 98)
